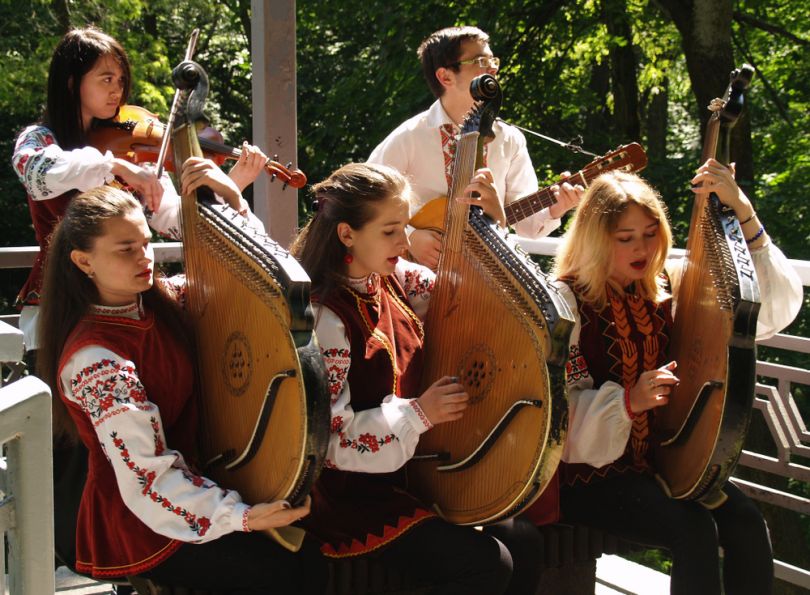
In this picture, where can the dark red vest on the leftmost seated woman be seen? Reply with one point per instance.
(110, 540)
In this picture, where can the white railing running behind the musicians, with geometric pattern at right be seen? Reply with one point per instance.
(788, 430)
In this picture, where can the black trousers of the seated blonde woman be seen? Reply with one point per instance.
(636, 508)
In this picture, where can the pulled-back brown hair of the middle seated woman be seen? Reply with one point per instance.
(351, 195)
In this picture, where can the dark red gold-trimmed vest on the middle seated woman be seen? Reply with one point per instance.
(354, 513)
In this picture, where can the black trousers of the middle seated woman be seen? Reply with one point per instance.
(456, 560)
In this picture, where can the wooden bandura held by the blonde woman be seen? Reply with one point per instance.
(703, 426)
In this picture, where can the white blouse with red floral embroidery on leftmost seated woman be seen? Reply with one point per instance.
(131, 418)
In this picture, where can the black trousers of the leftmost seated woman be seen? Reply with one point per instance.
(245, 564)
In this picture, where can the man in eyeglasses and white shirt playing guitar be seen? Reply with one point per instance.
(422, 147)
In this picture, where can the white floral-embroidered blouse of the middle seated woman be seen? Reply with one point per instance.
(384, 438)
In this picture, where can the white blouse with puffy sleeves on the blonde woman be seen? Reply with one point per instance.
(598, 423)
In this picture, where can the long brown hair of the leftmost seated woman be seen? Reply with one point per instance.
(68, 293)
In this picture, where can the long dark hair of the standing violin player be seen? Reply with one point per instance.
(74, 56)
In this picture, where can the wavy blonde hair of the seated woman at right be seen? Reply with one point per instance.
(586, 254)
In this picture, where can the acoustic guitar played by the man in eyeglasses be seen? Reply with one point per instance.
(629, 157)
